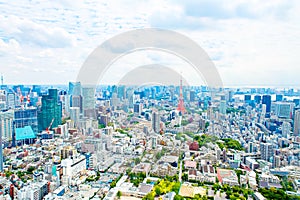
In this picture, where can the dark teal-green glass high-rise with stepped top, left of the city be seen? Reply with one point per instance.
(50, 112)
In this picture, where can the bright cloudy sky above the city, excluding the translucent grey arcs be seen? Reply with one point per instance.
(252, 43)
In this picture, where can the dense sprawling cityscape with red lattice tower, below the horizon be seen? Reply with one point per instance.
(150, 142)
